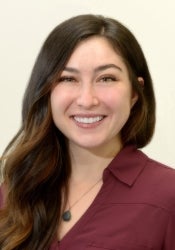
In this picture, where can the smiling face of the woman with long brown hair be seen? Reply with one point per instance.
(93, 98)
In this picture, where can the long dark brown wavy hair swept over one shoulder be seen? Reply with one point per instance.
(36, 163)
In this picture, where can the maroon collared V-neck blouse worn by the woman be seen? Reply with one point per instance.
(134, 210)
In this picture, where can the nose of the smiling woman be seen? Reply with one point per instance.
(87, 97)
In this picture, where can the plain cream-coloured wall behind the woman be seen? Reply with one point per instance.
(24, 26)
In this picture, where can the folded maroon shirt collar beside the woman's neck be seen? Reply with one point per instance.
(128, 164)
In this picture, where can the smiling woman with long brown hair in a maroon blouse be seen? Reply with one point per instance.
(73, 175)
